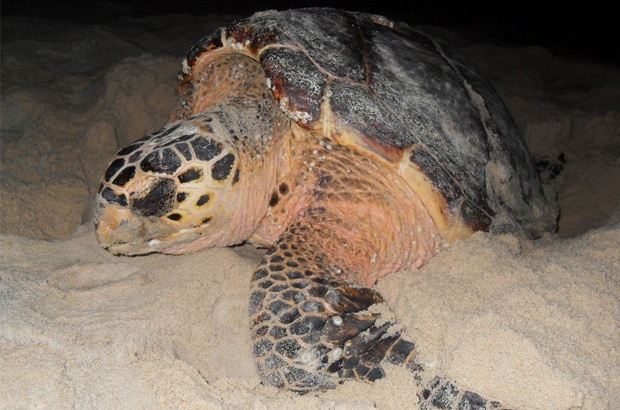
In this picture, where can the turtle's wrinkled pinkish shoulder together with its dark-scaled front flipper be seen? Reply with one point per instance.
(314, 318)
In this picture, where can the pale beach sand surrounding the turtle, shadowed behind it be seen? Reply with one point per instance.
(536, 324)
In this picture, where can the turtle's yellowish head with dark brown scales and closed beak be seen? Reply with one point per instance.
(174, 191)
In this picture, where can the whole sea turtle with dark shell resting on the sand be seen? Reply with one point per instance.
(349, 145)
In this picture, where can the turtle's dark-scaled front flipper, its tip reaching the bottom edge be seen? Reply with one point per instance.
(311, 330)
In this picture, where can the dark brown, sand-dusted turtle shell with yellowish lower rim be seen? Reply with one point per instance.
(400, 94)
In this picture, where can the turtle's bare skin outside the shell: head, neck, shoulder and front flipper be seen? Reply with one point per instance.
(336, 220)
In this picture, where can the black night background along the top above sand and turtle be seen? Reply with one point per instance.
(579, 29)
